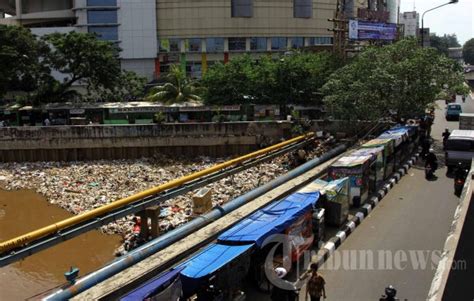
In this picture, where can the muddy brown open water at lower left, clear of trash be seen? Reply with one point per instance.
(25, 210)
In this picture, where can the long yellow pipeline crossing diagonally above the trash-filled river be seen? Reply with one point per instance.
(53, 228)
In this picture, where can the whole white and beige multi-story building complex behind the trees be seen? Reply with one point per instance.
(193, 33)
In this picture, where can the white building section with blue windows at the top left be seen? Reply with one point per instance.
(130, 23)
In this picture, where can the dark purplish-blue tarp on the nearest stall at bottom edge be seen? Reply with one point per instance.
(153, 286)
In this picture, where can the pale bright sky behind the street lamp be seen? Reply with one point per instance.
(453, 18)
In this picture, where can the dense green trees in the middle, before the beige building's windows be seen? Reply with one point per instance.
(292, 78)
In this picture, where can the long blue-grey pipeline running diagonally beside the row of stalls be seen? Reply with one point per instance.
(177, 234)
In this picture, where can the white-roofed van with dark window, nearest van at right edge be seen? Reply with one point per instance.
(460, 148)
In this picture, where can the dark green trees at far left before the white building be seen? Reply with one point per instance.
(27, 63)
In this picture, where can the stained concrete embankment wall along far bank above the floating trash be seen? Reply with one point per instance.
(92, 142)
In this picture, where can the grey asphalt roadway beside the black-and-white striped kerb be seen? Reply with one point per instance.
(415, 216)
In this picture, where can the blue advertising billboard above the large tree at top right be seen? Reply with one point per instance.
(363, 30)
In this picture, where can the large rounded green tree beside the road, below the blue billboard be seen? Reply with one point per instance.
(401, 77)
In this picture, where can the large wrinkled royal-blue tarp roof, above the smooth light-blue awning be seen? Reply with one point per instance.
(272, 219)
